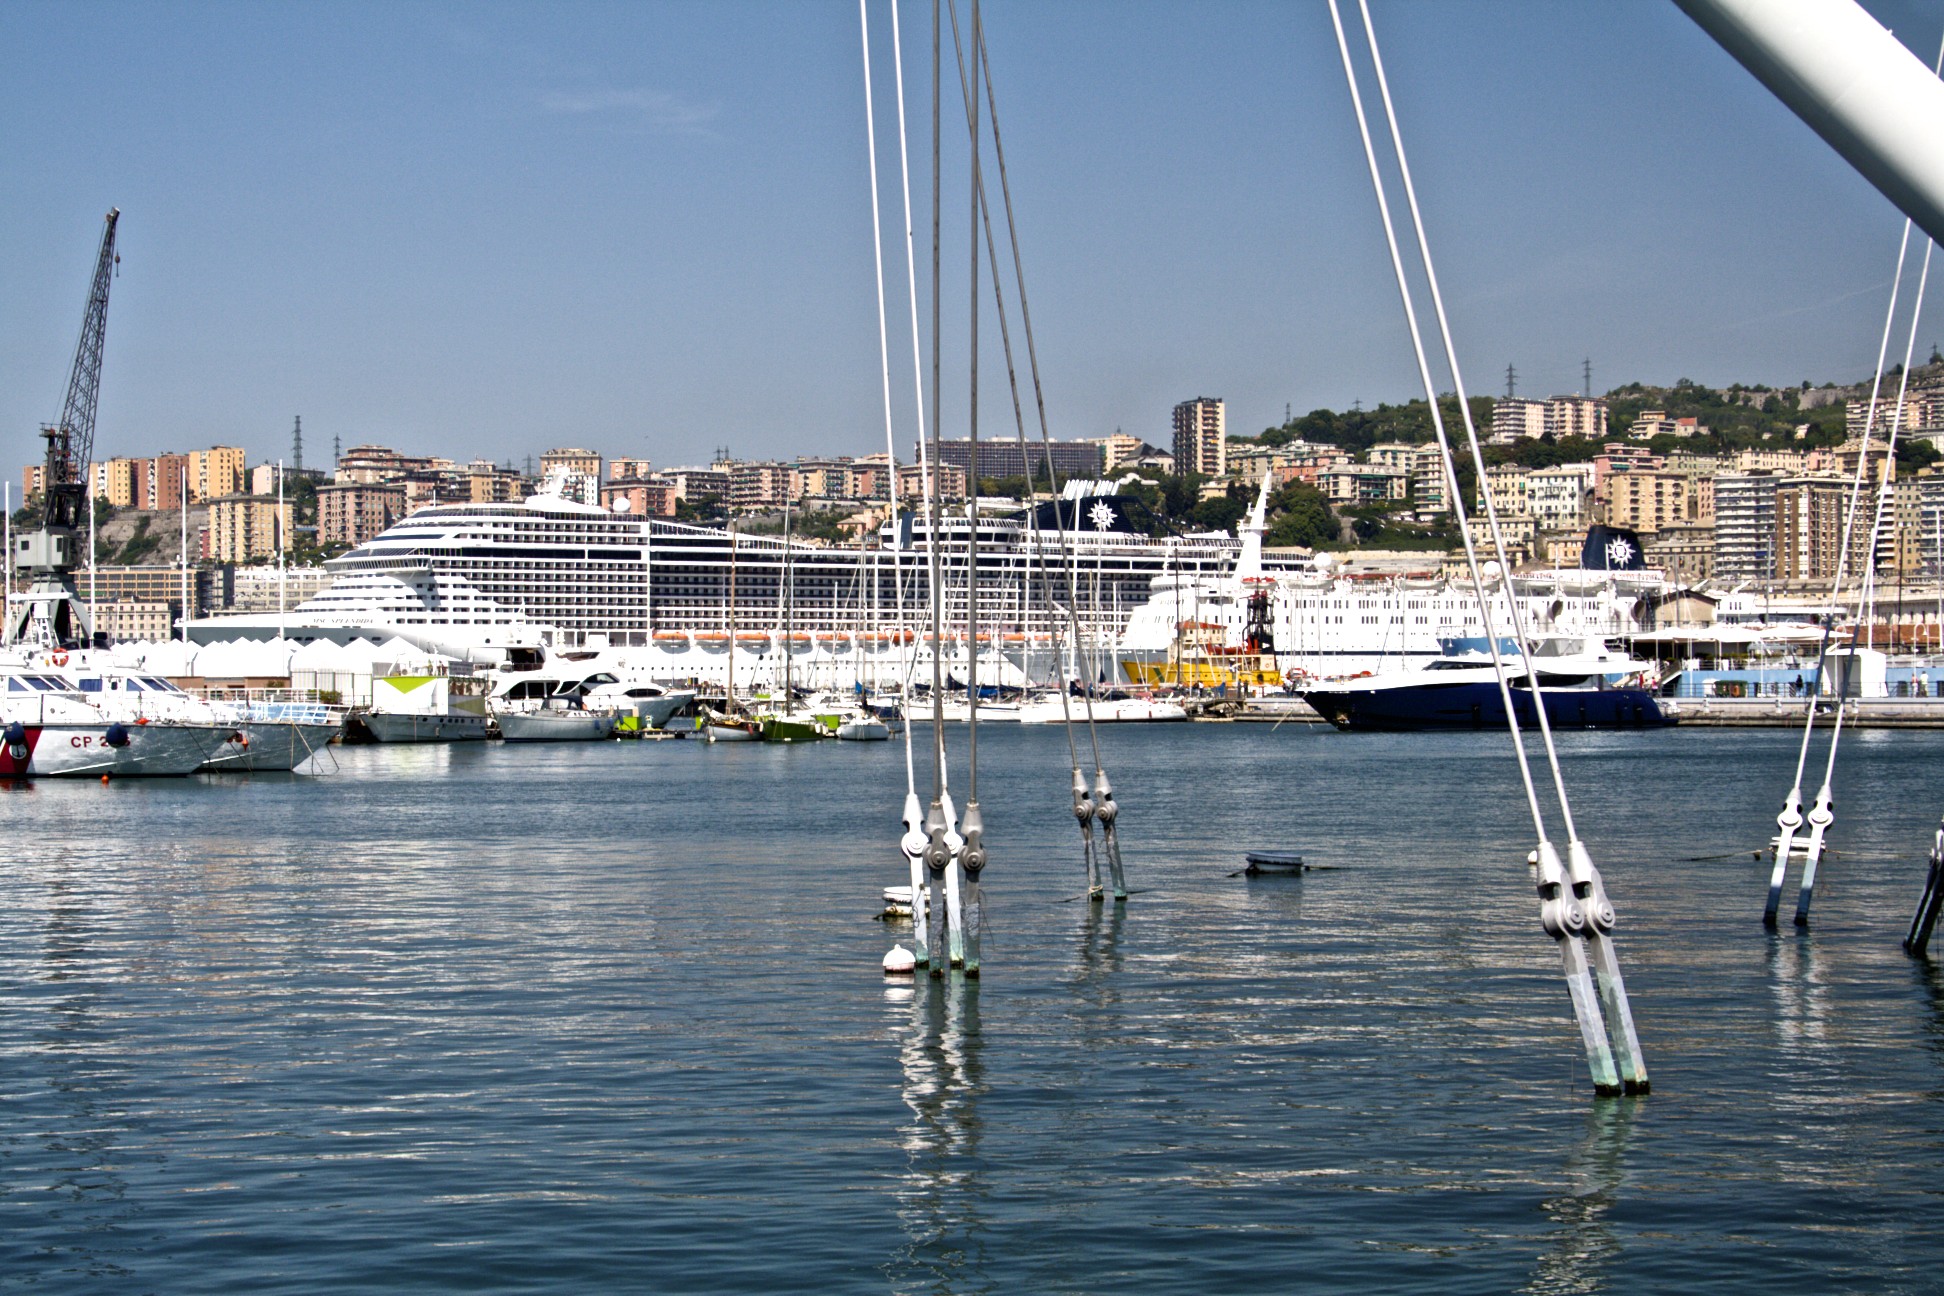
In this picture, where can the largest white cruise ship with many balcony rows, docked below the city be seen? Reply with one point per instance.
(493, 582)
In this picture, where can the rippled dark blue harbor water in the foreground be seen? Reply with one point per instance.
(609, 1019)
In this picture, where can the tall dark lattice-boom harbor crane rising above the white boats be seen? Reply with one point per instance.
(52, 615)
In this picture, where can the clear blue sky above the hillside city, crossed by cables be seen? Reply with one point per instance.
(487, 230)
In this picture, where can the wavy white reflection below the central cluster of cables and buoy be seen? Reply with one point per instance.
(942, 1196)
